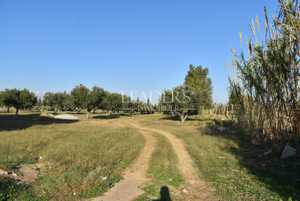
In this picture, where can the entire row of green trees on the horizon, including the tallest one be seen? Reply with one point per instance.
(190, 98)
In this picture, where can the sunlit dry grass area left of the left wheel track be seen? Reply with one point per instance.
(80, 160)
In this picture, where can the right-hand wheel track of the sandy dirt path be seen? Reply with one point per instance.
(195, 189)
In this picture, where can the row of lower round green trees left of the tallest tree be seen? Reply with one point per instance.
(81, 98)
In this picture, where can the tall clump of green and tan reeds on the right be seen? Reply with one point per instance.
(265, 92)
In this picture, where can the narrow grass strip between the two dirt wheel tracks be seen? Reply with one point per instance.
(162, 170)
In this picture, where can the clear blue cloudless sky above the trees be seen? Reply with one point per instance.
(124, 45)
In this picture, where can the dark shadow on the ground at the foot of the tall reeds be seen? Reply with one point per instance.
(280, 176)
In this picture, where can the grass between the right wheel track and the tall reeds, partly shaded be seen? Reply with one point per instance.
(232, 166)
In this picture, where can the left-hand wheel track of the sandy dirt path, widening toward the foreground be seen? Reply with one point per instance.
(129, 188)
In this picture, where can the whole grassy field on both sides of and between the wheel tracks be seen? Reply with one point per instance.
(84, 159)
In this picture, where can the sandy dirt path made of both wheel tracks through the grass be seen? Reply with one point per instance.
(135, 177)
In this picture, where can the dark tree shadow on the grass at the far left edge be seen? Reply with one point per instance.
(10, 122)
